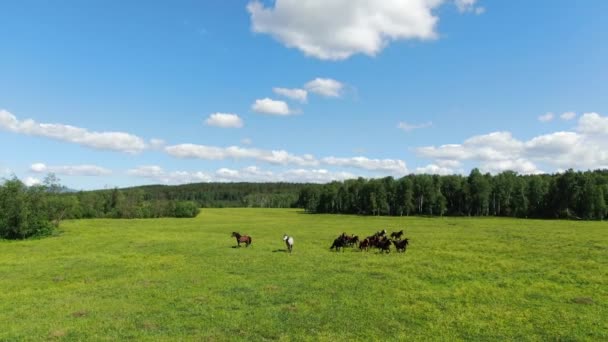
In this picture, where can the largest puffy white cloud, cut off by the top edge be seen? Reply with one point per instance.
(337, 29)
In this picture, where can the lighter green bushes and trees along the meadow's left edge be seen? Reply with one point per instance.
(37, 210)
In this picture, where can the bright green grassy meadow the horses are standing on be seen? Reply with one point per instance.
(180, 279)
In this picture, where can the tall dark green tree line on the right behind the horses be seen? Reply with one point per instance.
(571, 194)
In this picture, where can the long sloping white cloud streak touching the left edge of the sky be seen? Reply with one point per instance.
(117, 141)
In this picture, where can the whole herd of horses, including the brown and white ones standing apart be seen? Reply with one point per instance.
(379, 240)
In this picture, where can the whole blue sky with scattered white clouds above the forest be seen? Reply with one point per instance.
(119, 93)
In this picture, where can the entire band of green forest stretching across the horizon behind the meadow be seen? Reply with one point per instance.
(29, 211)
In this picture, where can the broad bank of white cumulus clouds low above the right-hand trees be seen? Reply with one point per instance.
(585, 149)
